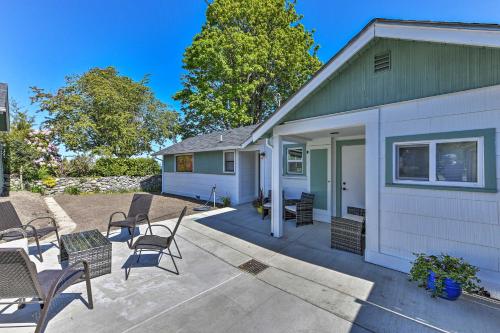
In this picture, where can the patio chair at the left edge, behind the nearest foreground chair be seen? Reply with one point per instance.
(9, 219)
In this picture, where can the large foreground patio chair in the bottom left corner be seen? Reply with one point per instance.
(20, 280)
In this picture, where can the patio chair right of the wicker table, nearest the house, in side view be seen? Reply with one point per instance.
(158, 244)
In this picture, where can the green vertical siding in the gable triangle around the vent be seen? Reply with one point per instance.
(418, 69)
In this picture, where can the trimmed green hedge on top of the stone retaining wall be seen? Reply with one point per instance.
(107, 167)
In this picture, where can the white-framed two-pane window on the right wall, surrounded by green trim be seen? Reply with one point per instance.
(452, 162)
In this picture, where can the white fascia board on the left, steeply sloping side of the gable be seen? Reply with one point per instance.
(316, 81)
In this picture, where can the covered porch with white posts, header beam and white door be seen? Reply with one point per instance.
(340, 168)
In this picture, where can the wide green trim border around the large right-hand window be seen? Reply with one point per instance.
(490, 176)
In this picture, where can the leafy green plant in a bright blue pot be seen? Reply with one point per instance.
(445, 276)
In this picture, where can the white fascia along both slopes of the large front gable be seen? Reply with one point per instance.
(473, 34)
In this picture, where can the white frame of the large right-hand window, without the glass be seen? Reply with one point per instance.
(432, 163)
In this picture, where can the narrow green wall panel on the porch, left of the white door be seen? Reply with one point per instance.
(319, 177)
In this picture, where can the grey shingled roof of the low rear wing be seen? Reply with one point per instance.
(231, 139)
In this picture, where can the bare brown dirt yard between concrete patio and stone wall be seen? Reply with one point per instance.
(91, 211)
